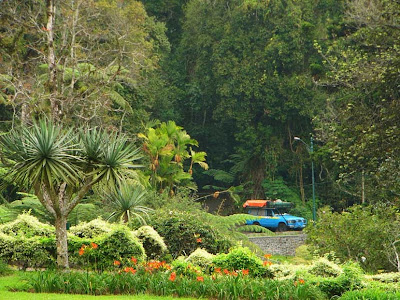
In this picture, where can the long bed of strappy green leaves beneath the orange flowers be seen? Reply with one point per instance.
(158, 283)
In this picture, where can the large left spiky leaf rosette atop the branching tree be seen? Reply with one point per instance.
(41, 154)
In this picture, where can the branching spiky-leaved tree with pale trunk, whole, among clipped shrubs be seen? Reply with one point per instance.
(61, 166)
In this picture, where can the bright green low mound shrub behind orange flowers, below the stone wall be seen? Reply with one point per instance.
(240, 258)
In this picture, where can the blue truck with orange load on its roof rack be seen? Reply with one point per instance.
(271, 216)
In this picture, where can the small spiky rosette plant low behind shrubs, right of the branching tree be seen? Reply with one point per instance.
(126, 202)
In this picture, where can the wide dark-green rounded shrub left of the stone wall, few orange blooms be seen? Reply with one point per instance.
(184, 232)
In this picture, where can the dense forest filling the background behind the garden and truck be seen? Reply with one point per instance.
(214, 92)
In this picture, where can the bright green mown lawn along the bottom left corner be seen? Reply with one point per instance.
(16, 281)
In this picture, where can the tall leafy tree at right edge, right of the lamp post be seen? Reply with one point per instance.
(360, 121)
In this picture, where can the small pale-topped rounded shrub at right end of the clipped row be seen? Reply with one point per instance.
(152, 242)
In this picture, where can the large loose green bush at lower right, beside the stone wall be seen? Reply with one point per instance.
(358, 232)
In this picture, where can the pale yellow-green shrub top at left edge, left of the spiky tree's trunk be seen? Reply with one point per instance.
(28, 226)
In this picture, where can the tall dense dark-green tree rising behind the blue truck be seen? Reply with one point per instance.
(249, 86)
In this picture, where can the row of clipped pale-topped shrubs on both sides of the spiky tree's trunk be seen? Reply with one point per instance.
(30, 243)
